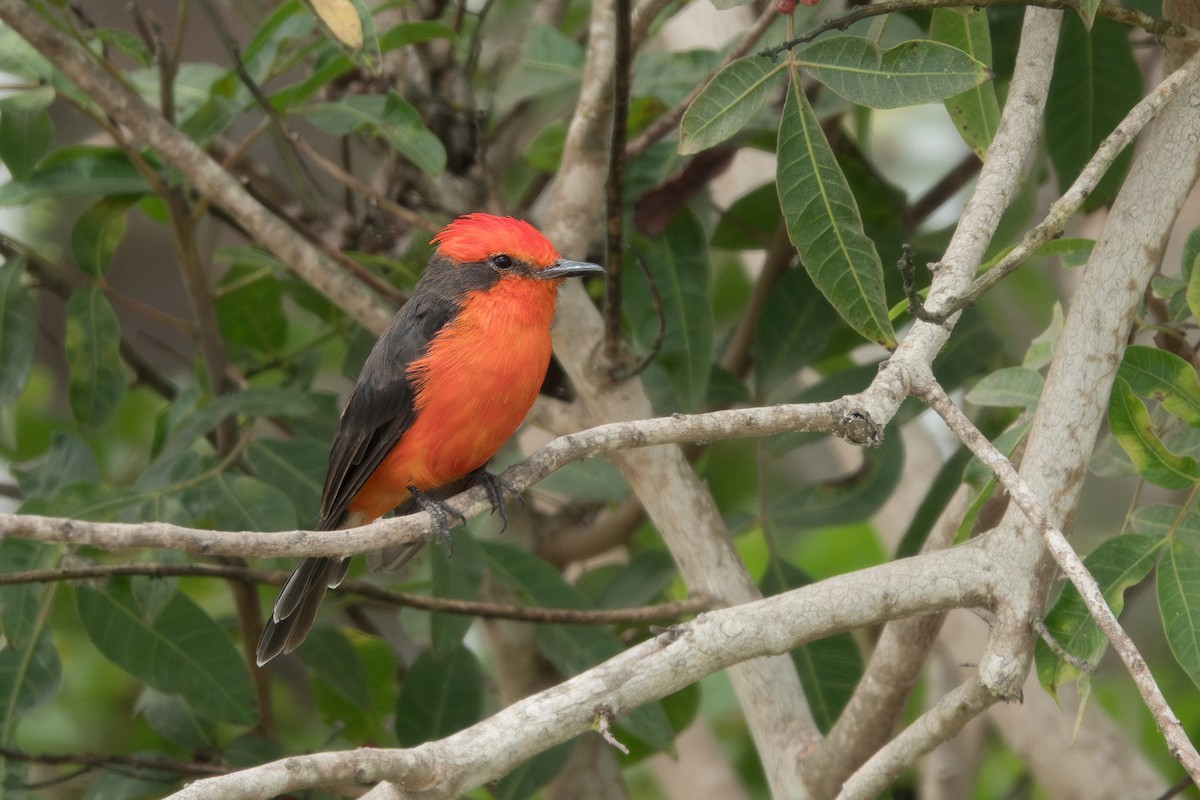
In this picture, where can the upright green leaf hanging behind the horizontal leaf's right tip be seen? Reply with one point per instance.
(975, 112)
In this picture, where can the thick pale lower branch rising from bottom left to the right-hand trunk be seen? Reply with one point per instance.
(650, 671)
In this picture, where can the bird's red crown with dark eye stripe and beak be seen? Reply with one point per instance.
(508, 245)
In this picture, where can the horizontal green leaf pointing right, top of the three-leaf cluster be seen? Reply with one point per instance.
(911, 74)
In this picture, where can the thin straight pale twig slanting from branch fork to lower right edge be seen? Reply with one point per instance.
(933, 394)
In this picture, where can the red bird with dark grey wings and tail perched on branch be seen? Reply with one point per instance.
(449, 381)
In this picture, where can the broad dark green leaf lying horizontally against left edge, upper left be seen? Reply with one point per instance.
(80, 171)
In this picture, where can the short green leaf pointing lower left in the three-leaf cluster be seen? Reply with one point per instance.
(728, 103)
